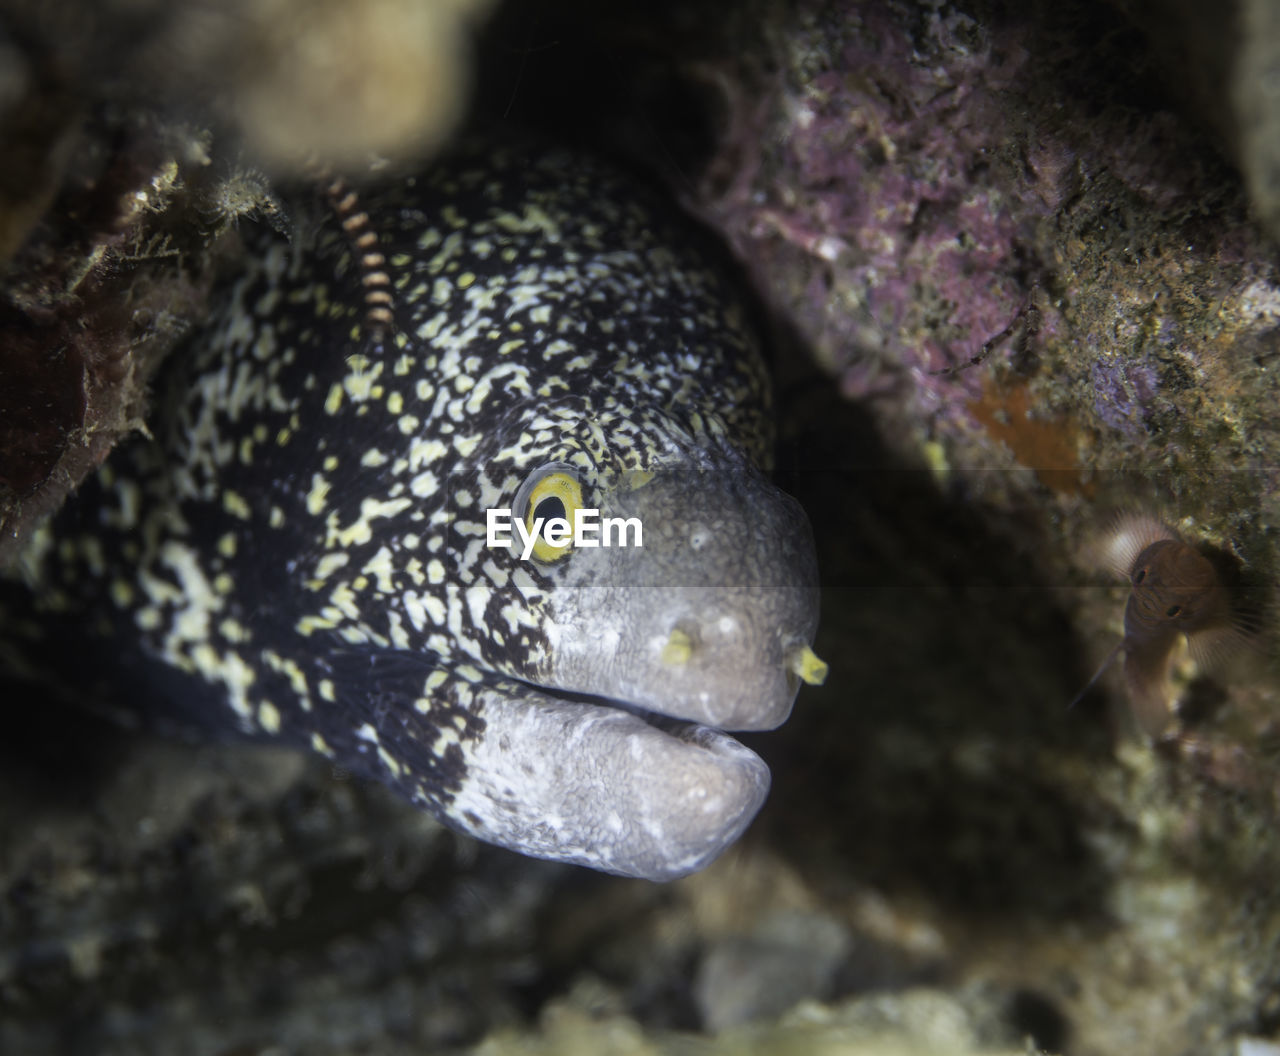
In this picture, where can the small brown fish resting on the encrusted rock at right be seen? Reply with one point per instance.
(1177, 596)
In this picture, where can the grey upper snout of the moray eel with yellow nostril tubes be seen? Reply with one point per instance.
(710, 621)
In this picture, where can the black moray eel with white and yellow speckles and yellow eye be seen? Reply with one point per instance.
(301, 554)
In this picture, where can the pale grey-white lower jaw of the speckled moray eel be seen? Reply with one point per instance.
(607, 787)
